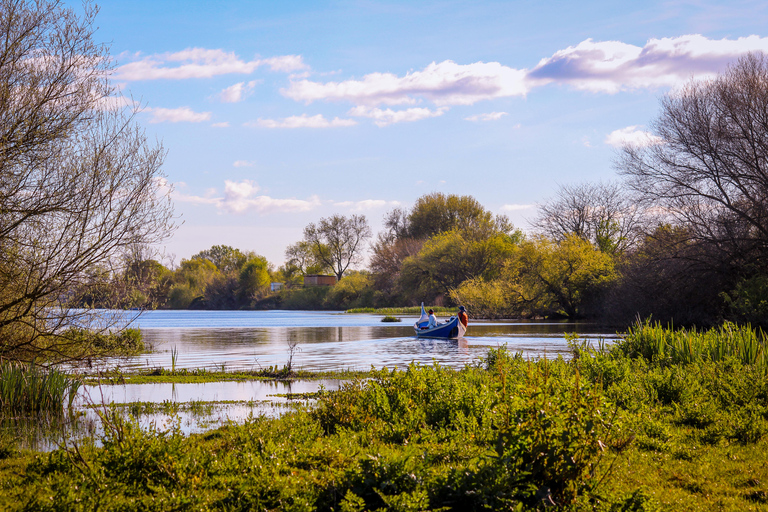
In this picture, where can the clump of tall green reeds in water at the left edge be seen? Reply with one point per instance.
(28, 389)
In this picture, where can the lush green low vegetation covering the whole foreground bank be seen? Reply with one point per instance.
(614, 428)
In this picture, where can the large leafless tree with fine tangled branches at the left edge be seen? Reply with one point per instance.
(79, 184)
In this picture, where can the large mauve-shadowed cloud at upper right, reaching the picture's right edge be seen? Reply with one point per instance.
(613, 66)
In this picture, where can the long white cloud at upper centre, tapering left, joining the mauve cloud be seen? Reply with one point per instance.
(444, 83)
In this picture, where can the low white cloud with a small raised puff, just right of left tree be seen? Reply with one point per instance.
(242, 197)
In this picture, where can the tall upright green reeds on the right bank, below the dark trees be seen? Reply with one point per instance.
(741, 342)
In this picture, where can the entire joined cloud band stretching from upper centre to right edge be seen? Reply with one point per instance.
(597, 66)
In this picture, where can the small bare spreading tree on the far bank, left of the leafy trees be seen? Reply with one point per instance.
(338, 241)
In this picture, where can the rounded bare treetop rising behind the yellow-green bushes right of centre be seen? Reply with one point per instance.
(601, 213)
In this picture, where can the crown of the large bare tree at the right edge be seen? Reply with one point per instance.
(707, 168)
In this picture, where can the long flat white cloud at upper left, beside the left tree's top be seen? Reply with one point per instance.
(201, 63)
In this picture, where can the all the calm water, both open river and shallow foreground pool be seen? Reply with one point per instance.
(258, 339)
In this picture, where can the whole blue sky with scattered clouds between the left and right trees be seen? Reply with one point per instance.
(275, 114)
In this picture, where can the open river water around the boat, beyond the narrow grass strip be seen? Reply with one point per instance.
(331, 340)
